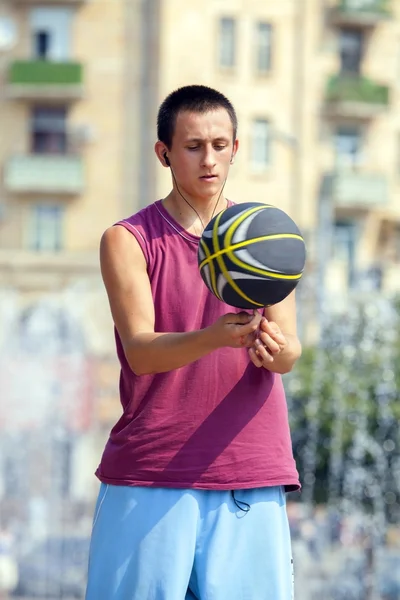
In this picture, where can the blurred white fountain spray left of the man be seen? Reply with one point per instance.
(48, 437)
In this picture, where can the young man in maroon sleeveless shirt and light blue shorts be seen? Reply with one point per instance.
(192, 499)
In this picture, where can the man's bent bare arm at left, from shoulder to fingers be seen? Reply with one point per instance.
(125, 277)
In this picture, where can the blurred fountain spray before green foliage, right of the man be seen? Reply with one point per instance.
(353, 389)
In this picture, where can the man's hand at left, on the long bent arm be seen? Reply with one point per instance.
(235, 330)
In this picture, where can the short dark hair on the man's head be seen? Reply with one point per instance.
(191, 98)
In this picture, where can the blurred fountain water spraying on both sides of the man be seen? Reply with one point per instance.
(345, 433)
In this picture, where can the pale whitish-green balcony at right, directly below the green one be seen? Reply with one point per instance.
(356, 189)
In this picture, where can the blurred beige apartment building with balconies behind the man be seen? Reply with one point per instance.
(315, 84)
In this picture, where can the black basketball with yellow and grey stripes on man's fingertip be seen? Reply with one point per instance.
(251, 255)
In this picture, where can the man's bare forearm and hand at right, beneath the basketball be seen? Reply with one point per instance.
(278, 347)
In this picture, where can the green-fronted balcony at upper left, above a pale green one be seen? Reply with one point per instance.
(45, 80)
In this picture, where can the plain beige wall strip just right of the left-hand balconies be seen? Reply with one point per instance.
(99, 44)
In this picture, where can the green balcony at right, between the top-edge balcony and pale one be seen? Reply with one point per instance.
(355, 96)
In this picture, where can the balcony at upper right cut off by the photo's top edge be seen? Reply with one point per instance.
(360, 13)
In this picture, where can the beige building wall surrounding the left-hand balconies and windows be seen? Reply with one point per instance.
(100, 41)
